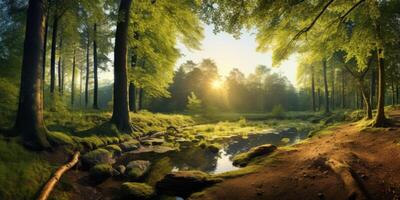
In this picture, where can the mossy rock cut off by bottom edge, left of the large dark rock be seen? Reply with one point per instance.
(137, 191)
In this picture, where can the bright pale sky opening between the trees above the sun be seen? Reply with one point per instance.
(228, 53)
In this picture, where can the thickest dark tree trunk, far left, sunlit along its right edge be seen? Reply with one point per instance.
(29, 121)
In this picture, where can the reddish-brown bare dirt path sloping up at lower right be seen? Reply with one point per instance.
(367, 161)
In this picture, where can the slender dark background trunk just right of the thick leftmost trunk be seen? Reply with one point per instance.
(53, 55)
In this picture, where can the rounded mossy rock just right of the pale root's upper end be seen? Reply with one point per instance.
(98, 156)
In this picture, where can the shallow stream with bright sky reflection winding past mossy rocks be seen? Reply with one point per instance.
(196, 158)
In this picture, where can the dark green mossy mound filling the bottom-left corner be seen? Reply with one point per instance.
(22, 173)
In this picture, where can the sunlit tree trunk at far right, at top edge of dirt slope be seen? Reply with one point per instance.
(380, 119)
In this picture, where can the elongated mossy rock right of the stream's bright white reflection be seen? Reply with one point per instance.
(244, 158)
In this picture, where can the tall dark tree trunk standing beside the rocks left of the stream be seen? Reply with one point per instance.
(120, 116)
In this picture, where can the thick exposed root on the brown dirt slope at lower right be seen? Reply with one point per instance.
(351, 183)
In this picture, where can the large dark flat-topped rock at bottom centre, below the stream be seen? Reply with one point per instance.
(184, 183)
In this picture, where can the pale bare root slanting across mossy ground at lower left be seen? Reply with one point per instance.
(56, 177)
